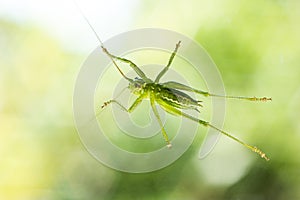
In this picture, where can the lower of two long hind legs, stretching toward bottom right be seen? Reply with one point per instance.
(175, 111)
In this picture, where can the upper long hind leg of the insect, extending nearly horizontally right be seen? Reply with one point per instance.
(179, 86)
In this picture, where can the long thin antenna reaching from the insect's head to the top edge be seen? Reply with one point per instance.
(100, 41)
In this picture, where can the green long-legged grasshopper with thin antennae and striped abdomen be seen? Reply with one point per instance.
(168, 95)
